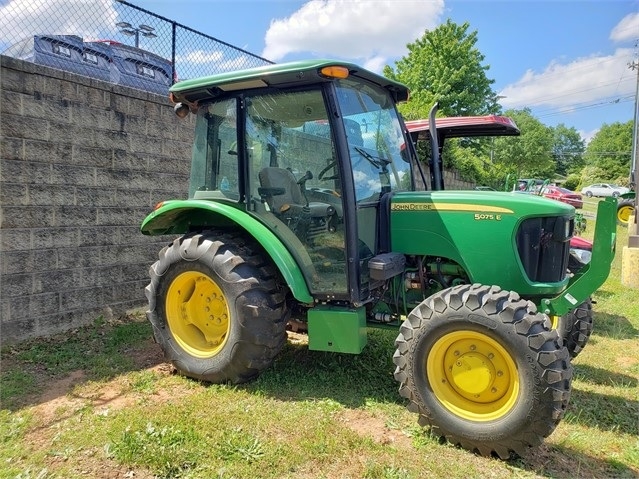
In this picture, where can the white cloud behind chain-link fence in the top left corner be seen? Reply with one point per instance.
(22, 18)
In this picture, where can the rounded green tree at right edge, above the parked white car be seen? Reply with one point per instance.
(609, 154)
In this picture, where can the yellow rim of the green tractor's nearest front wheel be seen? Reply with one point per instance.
(473, 376)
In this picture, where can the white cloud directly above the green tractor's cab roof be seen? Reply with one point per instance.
(366, 31)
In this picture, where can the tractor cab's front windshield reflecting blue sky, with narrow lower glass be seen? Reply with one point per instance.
(376, 164)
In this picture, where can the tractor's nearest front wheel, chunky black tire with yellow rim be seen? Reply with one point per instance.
(483, 369)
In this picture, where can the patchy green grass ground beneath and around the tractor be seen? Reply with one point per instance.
(99, 402)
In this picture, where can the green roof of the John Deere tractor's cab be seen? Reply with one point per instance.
(280, 75)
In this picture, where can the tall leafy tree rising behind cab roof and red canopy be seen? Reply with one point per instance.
(444, 66)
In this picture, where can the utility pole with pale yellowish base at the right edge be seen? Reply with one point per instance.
(630, 254)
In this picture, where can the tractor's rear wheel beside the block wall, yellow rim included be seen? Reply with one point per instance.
(216, 306)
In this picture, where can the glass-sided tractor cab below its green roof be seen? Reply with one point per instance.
(311, 163)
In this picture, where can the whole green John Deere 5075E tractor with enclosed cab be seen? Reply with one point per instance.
(308, 208)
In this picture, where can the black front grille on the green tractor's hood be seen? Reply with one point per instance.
(544, 247)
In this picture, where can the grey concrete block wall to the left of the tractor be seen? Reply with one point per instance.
(82, 162)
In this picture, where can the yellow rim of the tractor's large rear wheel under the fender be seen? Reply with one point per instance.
(197, 314)
